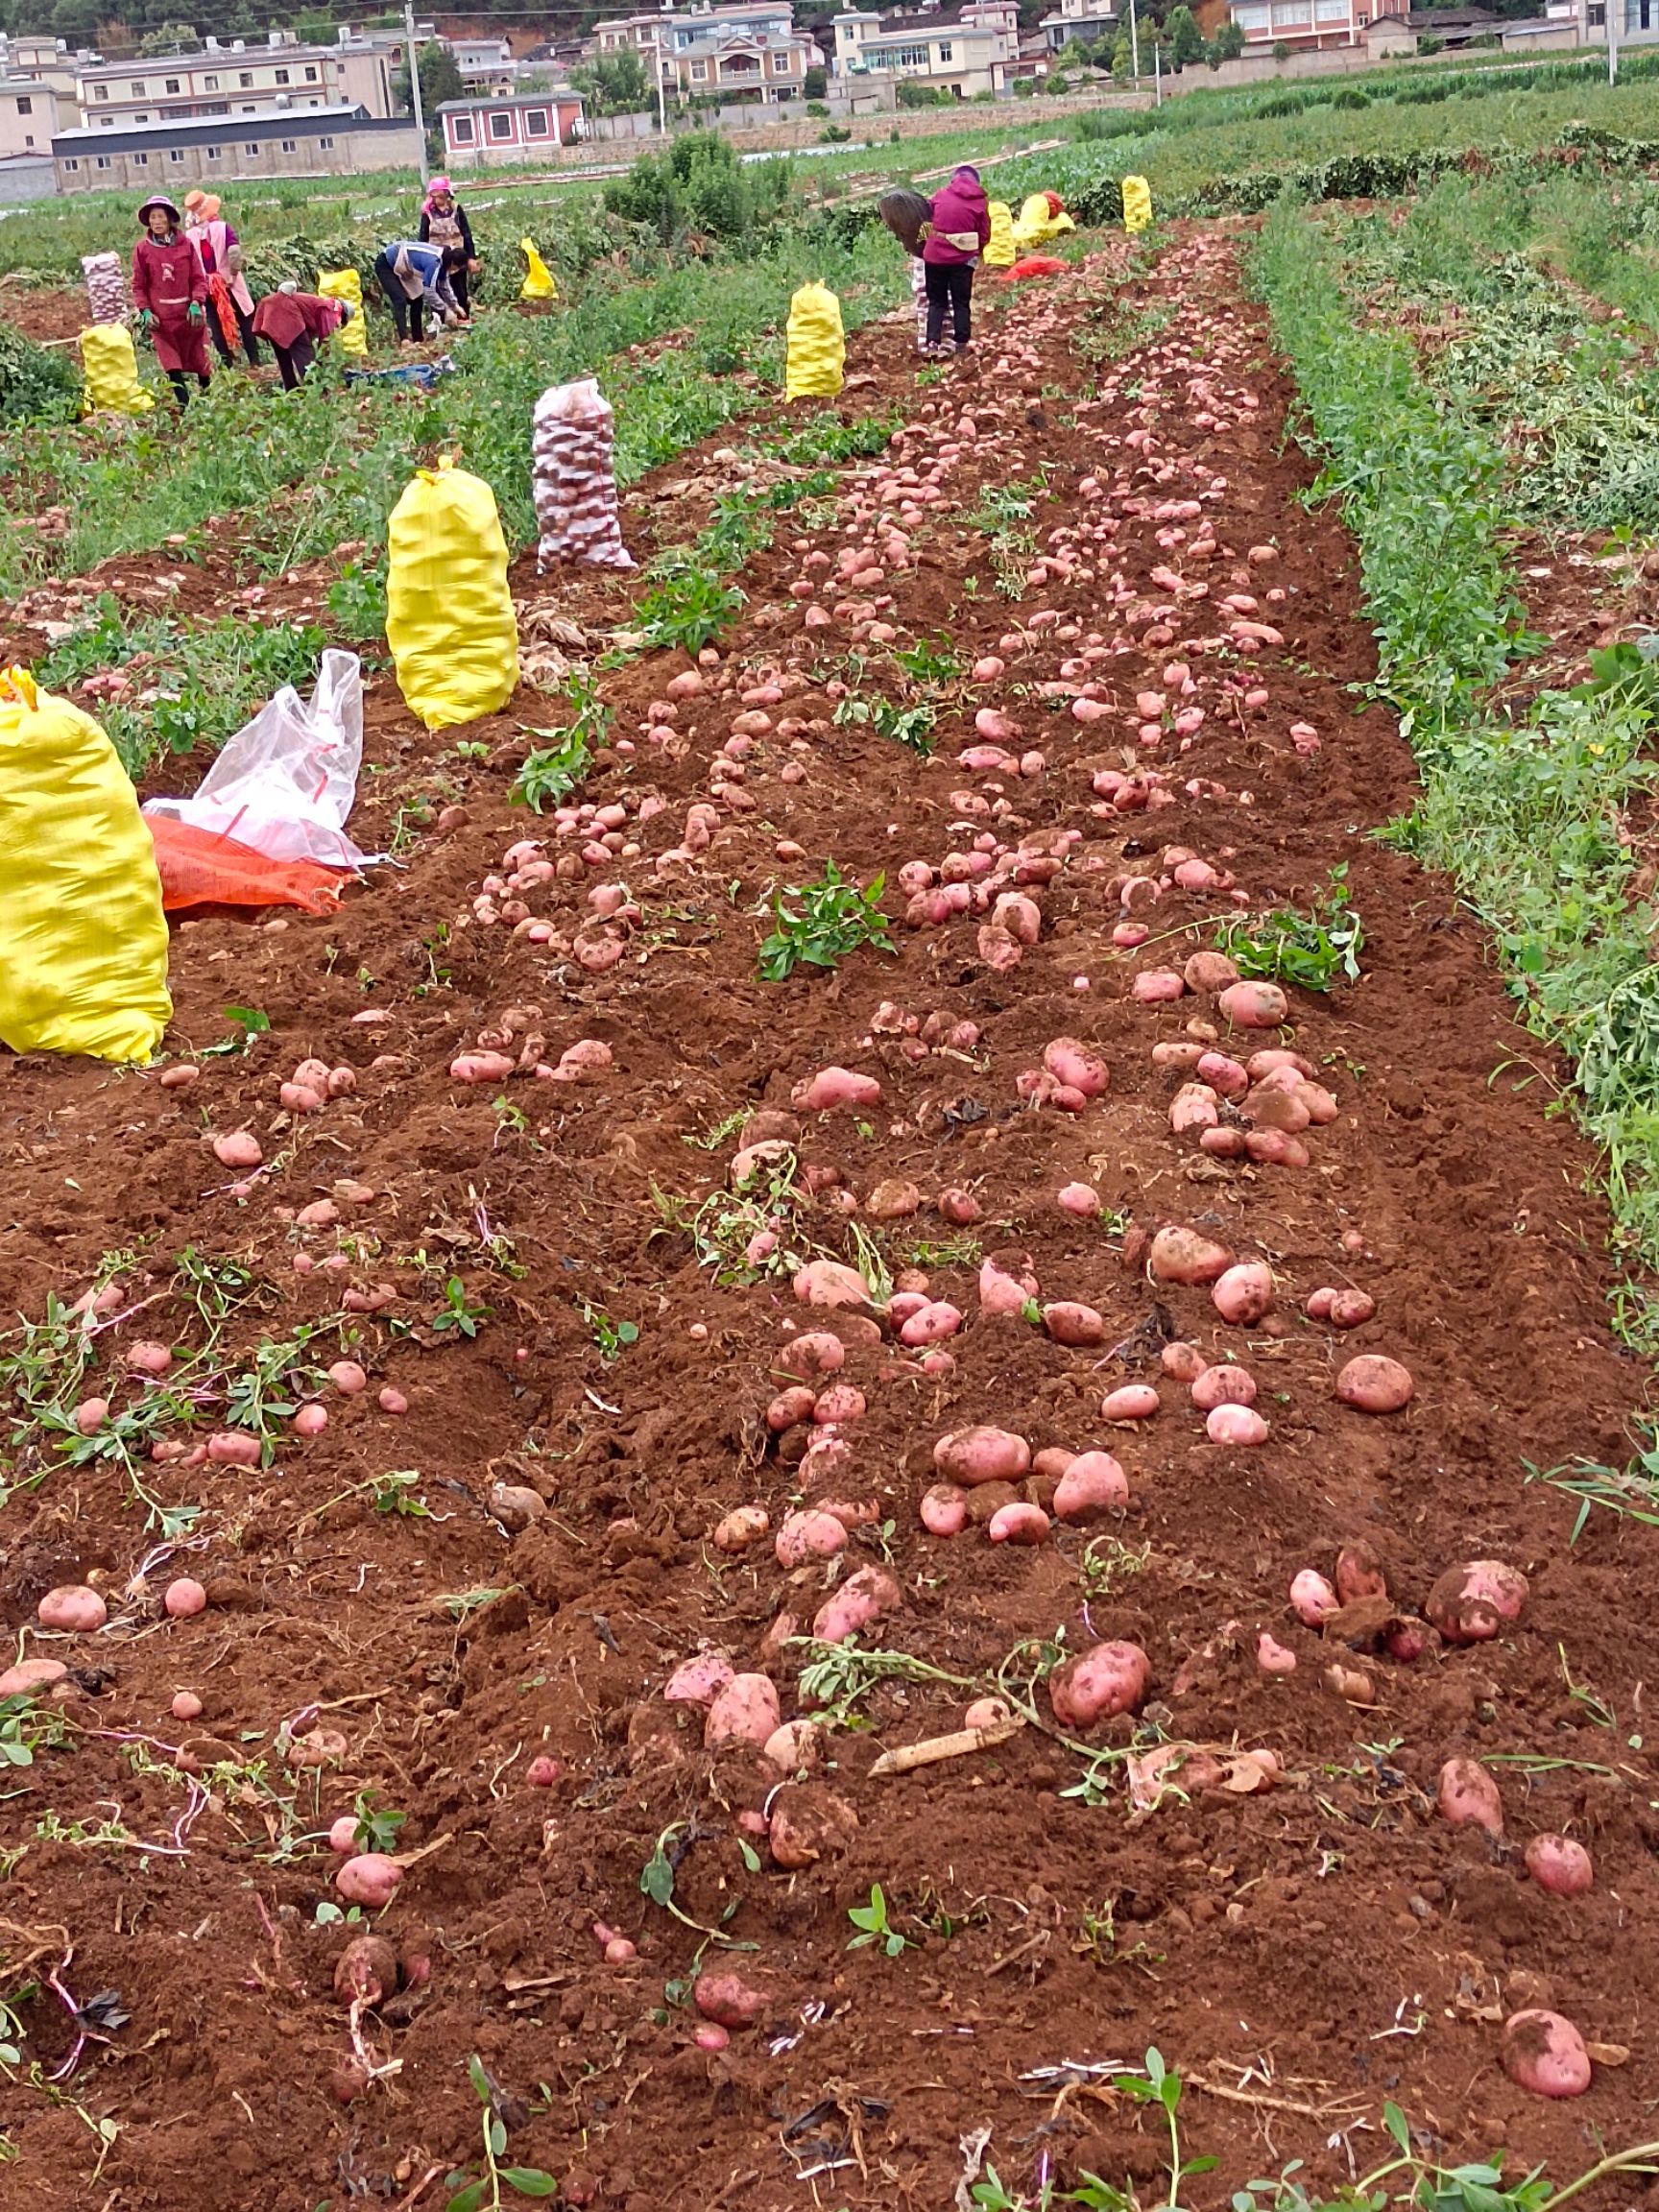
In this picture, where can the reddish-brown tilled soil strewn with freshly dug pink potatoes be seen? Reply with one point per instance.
(1300, 1954)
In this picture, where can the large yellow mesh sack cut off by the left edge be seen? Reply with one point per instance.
(83, 937)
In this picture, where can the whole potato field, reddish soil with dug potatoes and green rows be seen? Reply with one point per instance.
(886, 1439)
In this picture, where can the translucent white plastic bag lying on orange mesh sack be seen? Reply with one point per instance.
(286, 782)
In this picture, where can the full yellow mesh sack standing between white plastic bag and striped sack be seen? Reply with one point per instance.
(450, 614)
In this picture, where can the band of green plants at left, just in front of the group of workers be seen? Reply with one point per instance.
(324, 466)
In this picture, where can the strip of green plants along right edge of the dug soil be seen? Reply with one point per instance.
(1523, 813)
